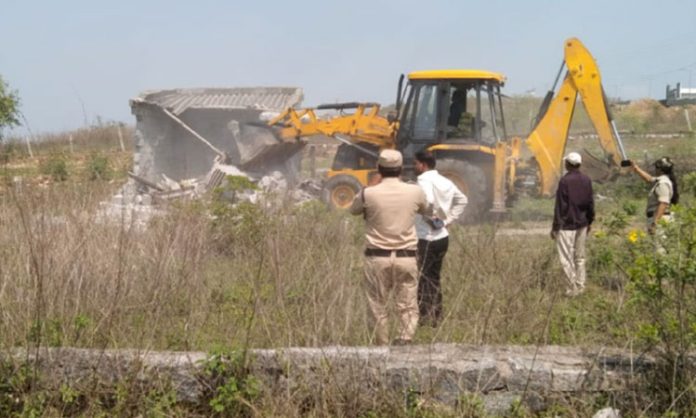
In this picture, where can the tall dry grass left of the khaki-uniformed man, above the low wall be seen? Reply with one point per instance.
(68, 280)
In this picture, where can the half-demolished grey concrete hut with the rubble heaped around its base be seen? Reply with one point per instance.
(188, 141)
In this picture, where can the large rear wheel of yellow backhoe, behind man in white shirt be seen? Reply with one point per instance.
(472, 181)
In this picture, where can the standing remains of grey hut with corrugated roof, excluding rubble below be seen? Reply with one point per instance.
(181, 133)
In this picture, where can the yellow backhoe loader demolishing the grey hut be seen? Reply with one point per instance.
(458, 115)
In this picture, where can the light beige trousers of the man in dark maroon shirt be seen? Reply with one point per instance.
(571, 250)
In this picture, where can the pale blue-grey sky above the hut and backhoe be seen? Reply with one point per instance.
(75, 60)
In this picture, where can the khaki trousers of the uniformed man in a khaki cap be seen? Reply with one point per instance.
(387, 276)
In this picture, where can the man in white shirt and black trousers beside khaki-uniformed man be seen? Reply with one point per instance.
(447, 203)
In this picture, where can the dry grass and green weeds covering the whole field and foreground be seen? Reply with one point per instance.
(208, 275)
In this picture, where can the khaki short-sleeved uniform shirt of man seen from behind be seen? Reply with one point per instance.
(390, 210)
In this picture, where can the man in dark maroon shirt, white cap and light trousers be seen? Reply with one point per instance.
(572, 220)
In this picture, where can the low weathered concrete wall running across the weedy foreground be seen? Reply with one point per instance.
(441, 372)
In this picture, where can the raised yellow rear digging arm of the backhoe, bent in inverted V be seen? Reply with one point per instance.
(548, 139)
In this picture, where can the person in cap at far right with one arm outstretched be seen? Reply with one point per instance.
(664, 192)
